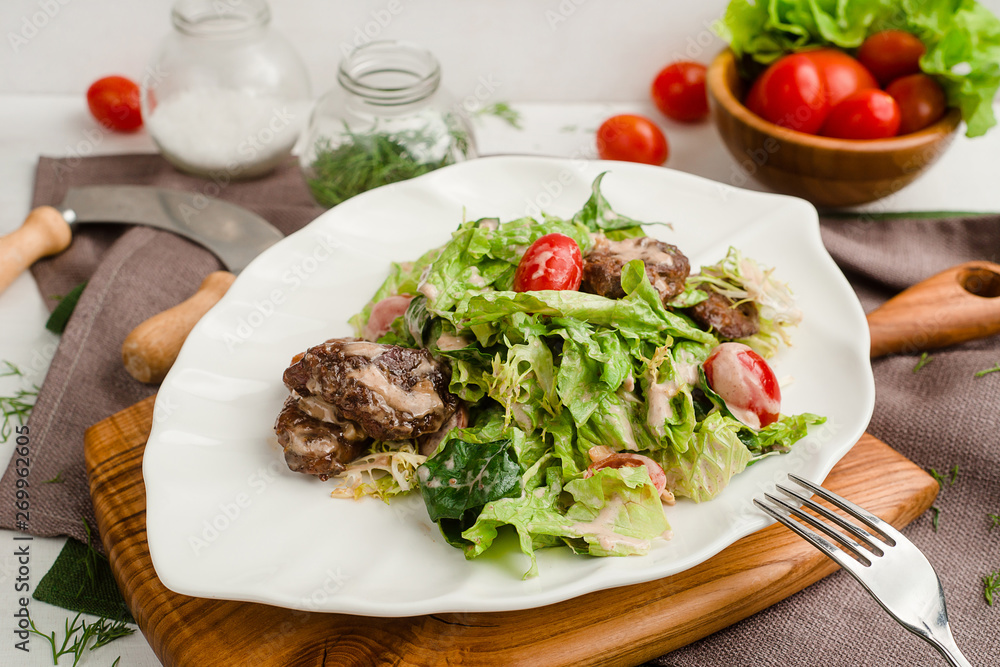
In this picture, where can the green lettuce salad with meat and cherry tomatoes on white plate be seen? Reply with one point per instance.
(563, 377)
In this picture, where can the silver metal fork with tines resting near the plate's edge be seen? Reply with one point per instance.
(888, 565)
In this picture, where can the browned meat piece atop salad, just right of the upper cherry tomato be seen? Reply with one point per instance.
(666, 266)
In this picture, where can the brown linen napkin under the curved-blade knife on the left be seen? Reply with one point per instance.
(133, 273)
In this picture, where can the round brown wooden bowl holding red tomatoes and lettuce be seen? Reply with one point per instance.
(827, 172)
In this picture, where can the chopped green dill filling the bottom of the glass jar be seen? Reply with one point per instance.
(362, 161)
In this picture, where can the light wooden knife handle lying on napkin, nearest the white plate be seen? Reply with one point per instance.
(152, 347)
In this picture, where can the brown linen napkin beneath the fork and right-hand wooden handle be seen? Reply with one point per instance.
(939, 417)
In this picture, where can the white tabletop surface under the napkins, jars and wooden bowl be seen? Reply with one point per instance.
(58, 125)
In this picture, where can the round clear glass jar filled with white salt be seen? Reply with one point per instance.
(226, 97)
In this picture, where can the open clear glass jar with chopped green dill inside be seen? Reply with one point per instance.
(389, 120)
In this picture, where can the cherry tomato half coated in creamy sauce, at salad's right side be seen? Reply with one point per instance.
(745, 382)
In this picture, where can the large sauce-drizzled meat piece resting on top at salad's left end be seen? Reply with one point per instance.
(391, 392)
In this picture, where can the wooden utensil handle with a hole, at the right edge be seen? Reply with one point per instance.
(954, 306)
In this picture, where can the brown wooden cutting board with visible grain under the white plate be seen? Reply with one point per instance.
(622, 626)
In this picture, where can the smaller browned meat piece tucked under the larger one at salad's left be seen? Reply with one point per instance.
(316, 447)
